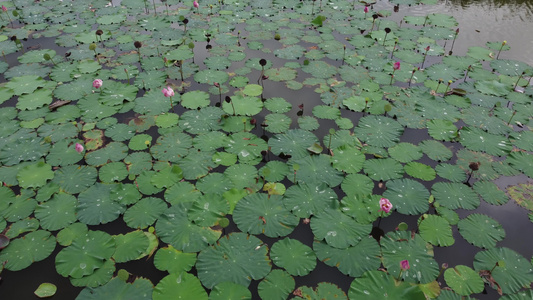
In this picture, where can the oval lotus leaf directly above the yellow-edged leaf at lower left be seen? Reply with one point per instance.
(144, 213)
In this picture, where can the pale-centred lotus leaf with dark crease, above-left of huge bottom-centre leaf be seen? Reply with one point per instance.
(208, 210)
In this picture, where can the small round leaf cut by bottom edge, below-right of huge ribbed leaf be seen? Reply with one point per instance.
(276, 285)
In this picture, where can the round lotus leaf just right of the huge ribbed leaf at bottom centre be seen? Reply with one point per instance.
(292, 255)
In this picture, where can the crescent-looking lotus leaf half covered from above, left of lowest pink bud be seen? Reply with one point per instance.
(352, 261)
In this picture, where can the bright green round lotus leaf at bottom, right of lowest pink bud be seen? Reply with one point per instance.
(463, 280)
